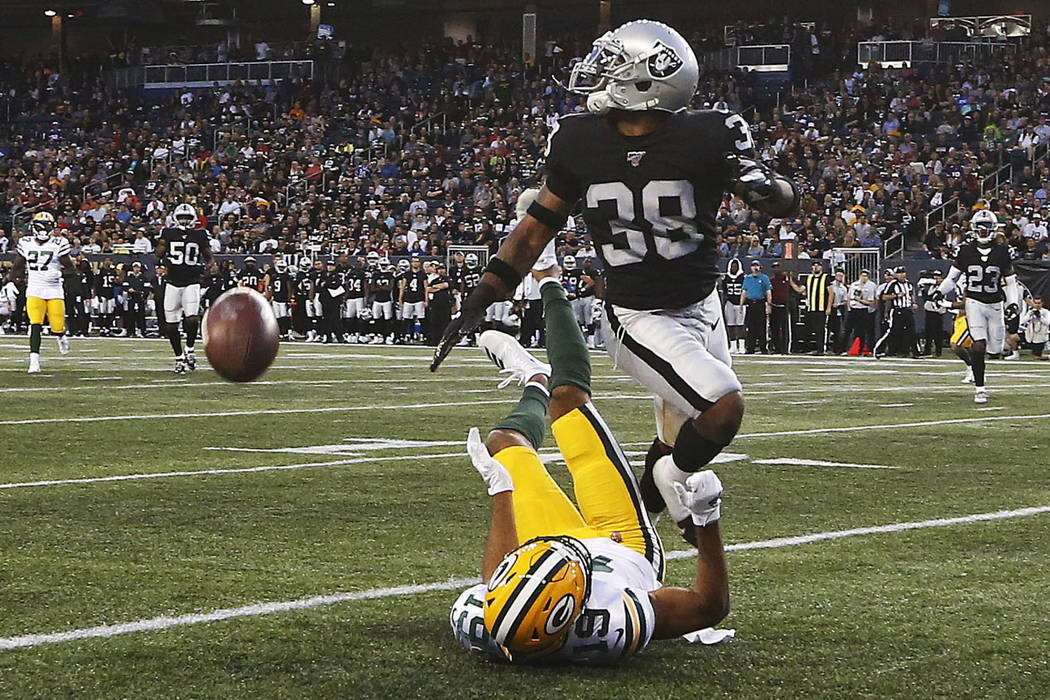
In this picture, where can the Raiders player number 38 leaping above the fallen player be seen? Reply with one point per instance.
(652, 176)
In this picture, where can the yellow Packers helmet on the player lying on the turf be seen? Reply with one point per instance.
(536, 595)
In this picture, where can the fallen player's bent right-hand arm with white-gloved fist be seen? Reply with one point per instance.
(681, 610)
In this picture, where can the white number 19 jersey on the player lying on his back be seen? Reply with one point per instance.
(617, 622)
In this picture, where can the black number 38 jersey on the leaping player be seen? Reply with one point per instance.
(650, 202)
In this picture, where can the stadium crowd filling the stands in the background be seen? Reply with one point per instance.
(419, 149)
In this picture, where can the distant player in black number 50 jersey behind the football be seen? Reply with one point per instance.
(186, 252)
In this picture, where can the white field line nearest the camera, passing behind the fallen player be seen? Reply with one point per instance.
(166, 623)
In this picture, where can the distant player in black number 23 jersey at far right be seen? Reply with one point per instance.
(985, 274)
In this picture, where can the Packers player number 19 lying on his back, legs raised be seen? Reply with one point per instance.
(568, 584)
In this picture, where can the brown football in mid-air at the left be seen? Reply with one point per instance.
(241, 335)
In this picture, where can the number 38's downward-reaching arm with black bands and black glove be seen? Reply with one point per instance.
(505, 272)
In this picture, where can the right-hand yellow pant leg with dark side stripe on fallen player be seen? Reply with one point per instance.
(605, 485)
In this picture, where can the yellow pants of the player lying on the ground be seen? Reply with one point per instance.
(605, 487)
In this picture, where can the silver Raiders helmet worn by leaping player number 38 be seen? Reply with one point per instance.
(639, 67)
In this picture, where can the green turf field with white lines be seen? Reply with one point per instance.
(213, 520)
